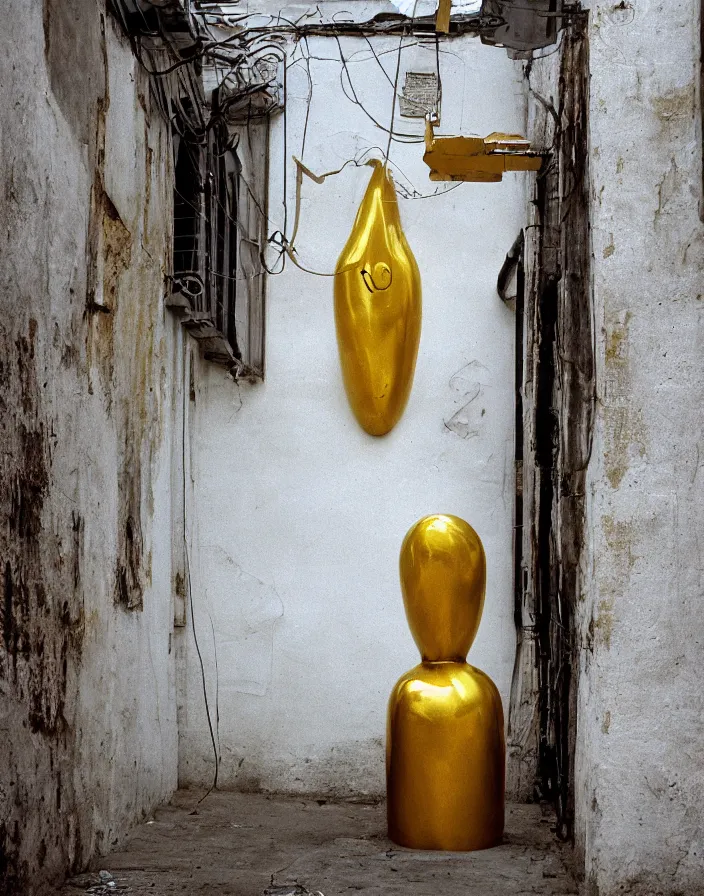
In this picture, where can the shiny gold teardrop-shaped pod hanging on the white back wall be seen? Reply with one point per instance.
(378, 310)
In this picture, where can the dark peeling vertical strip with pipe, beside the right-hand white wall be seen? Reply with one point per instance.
(558, 396)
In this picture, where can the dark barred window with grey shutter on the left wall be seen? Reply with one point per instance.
(219, 279)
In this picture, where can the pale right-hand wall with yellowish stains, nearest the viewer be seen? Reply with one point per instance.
(640, 778)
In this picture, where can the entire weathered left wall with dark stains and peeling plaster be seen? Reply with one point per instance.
(87, 717)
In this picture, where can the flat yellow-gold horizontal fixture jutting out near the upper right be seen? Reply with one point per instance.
(479, 159)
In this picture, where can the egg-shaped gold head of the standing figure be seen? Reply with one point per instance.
(443, 578)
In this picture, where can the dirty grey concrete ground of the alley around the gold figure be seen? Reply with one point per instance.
(251, 845)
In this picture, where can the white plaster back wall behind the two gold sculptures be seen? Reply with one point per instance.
(298, 515)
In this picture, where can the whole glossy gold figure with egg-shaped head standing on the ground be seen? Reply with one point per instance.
(445, 751)
